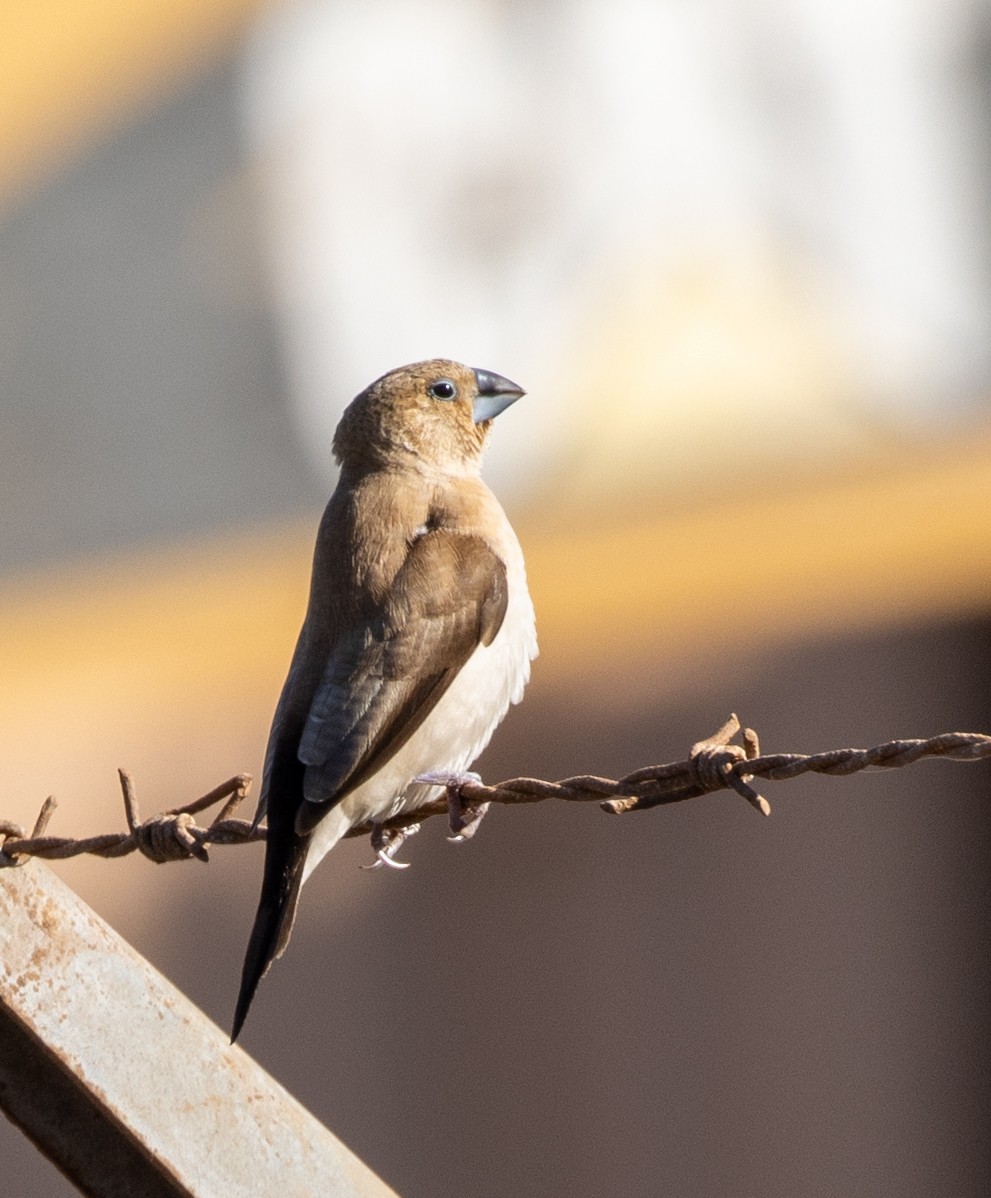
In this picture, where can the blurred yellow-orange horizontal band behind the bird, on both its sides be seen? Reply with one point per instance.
(872, 547)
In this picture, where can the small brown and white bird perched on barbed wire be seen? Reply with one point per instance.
(419, 634)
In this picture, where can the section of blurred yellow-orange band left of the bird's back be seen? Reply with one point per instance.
(226, 609)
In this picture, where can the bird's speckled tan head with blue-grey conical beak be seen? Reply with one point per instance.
(436, 413)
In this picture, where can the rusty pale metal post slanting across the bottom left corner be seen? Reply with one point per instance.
(125, 1085)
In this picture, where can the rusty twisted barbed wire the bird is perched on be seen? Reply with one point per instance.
(712, 765)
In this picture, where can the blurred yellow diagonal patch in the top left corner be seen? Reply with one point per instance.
(72, 70)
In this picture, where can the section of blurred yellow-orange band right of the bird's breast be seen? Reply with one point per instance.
(867, 546)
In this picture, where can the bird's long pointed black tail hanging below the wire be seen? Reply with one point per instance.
(285, 860)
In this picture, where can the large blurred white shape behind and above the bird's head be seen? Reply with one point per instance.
(766, 208)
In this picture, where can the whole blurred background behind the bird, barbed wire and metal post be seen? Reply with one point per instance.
(740, 257)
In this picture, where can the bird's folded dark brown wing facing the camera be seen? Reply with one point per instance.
(388, 675)
